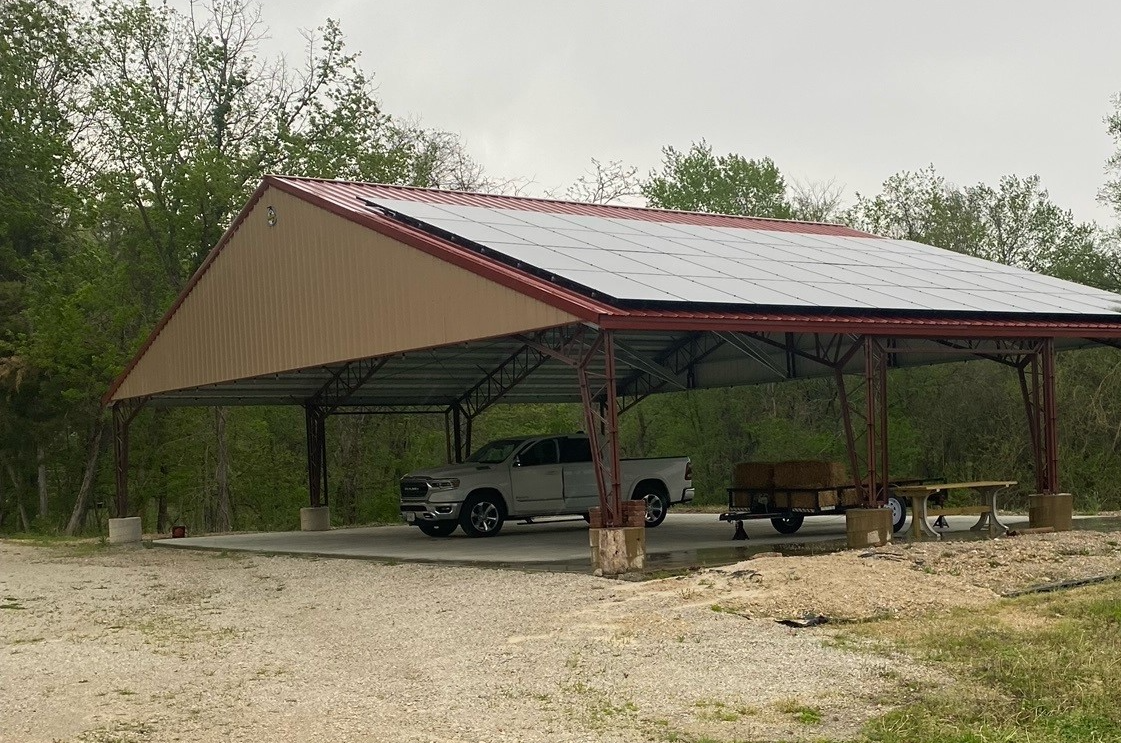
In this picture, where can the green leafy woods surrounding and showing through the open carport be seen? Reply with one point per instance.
(132, 134)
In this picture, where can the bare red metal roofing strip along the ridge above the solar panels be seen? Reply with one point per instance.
(351, 196)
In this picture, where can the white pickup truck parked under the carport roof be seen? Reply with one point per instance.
(529, 478)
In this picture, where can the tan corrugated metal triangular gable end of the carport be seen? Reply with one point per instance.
(314, 290)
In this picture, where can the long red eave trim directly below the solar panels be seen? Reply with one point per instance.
(942, 328)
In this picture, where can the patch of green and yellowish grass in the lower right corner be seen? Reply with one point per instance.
(1043, 668)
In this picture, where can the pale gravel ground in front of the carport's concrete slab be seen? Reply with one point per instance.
(134, 645)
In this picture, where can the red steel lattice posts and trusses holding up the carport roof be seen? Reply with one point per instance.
(592, 356)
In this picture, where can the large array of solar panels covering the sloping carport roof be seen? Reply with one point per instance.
(641, 261)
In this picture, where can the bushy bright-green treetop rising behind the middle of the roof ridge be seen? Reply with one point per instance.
(699, 181)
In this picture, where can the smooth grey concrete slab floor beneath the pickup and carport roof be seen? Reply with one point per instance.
(683, 541)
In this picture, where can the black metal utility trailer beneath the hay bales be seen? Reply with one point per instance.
(789, 508)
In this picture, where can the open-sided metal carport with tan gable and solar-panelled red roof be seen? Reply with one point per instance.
(350, 298)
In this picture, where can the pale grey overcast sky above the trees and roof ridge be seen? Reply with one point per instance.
(853, 91)
